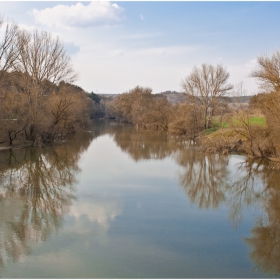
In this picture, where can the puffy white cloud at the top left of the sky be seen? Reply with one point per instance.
(79, 15)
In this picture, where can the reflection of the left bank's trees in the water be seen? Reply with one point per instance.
(37, 187)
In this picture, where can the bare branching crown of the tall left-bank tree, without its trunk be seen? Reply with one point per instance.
(43, 58)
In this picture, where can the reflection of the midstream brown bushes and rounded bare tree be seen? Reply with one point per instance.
(204, 176)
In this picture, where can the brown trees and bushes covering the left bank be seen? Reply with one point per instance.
(38, 101)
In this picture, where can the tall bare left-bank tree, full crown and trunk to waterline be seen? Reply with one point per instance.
(41, 64)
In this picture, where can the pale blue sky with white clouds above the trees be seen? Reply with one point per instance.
(115, 46)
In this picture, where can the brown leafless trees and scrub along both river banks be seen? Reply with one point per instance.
(39, 103)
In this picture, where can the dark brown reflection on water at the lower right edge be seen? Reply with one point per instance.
(265, 239)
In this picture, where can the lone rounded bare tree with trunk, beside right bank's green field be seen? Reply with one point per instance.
(208, 85)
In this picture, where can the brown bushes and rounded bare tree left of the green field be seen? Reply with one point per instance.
(204, 88)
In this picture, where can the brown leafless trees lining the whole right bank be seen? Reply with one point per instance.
(205, 89)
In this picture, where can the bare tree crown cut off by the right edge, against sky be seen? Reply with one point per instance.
(268, 72)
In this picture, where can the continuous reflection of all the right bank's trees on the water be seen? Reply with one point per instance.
(206, 180)
